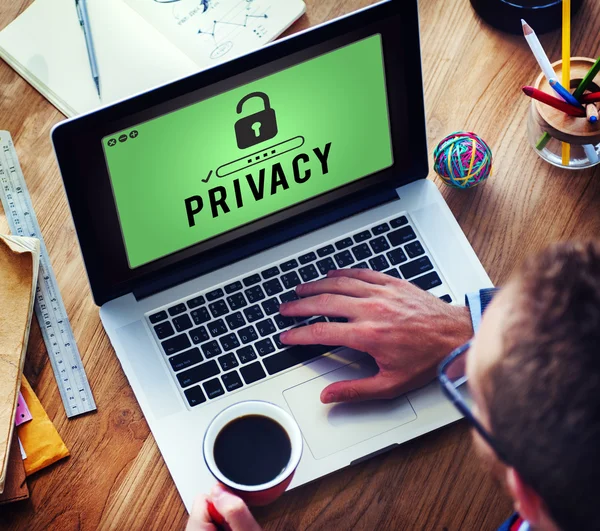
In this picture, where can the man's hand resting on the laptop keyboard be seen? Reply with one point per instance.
(408, 331)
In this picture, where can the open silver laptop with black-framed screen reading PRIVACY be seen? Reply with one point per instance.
(201, 204)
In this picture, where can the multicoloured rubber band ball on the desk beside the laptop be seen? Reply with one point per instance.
(463, 160)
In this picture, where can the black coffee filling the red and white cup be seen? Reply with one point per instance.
(252, 450)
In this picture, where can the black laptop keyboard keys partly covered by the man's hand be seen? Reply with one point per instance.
(226, 338)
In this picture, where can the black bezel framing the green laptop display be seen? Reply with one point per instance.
(79, 151)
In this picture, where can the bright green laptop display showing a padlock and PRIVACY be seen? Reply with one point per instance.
(203, 170)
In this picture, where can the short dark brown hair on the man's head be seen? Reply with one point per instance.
(544, 397)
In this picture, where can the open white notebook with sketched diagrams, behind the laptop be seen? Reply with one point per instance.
(139, 44)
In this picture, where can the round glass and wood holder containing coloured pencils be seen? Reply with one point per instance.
(548, 128)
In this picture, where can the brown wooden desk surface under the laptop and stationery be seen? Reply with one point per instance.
(116, 478)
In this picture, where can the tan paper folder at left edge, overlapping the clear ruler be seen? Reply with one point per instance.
(19, 262)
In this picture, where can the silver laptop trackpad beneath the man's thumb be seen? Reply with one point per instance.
(329, 428)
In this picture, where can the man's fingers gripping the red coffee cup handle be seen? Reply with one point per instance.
(232, 509)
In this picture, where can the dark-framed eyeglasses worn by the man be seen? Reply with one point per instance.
(453, 379)
